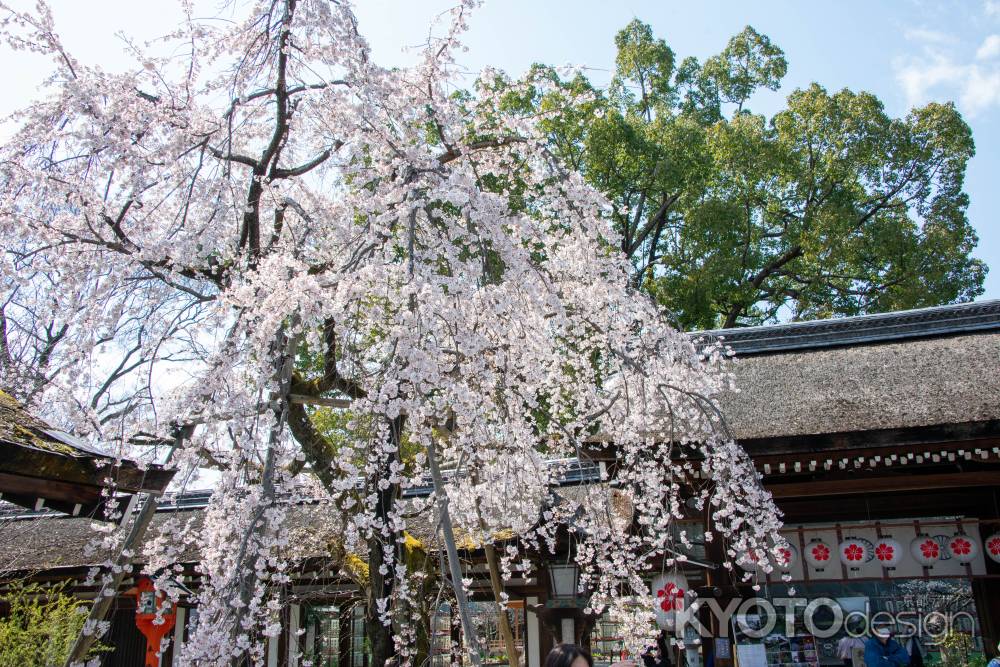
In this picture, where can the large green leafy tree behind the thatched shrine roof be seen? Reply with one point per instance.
(829, 207)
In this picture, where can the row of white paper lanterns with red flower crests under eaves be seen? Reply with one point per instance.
(855, 552)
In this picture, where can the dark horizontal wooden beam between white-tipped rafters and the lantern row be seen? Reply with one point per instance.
(885, 484)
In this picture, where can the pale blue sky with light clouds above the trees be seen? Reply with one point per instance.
(907, 52)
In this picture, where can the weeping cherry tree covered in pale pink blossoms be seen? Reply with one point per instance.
(196, 251)
